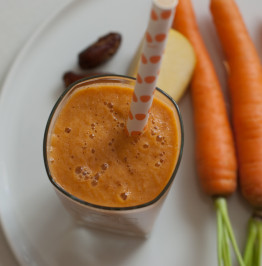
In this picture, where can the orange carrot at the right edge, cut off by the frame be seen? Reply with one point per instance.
(245, 85)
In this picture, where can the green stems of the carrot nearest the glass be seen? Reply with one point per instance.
(221, 206)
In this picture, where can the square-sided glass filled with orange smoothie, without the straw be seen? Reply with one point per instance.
(105, 178)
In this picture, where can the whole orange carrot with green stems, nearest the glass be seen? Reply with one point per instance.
(215, 151)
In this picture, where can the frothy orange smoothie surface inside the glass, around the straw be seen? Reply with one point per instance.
(91, 157)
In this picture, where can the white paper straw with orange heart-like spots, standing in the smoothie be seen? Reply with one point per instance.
(161, 17)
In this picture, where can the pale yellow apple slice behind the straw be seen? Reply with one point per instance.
(177, 65)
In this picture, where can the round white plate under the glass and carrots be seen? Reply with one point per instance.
(37, 227)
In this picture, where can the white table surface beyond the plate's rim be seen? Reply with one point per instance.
(18, 21)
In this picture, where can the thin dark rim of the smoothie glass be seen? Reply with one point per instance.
(96, 206)
